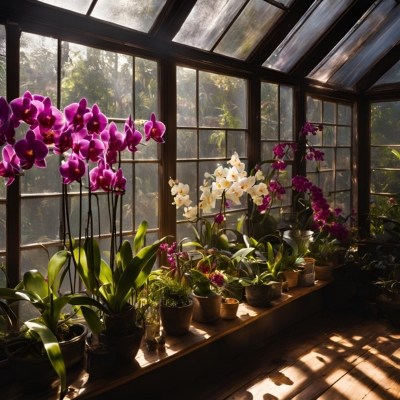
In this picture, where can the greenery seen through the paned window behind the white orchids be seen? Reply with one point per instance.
(211, 126)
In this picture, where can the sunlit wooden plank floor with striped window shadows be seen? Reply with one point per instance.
(329, 356)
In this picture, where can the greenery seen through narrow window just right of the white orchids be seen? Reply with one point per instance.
(277, 127)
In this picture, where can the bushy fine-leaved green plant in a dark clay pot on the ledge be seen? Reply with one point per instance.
(176, 306)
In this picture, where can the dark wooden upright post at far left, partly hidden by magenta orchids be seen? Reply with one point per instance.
(13, 211)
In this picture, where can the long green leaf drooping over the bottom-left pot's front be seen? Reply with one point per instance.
(52, 349)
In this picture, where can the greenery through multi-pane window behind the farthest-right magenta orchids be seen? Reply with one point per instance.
(334, 174)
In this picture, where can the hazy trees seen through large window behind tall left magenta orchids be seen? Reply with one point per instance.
(120, 85)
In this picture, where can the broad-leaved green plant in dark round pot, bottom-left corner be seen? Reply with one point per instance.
(49, 344)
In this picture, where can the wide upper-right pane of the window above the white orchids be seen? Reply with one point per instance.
(222, 101)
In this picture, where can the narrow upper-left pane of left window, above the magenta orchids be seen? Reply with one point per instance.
(38, 65)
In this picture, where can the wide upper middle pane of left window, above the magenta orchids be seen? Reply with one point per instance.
(102, 77)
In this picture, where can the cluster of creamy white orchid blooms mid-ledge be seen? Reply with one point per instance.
(230, 182)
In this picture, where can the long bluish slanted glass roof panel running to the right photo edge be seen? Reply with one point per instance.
(370, 52)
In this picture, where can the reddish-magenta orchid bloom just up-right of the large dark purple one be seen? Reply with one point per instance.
(51, 122)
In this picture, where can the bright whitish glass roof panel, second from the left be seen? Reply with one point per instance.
(135, 14)
